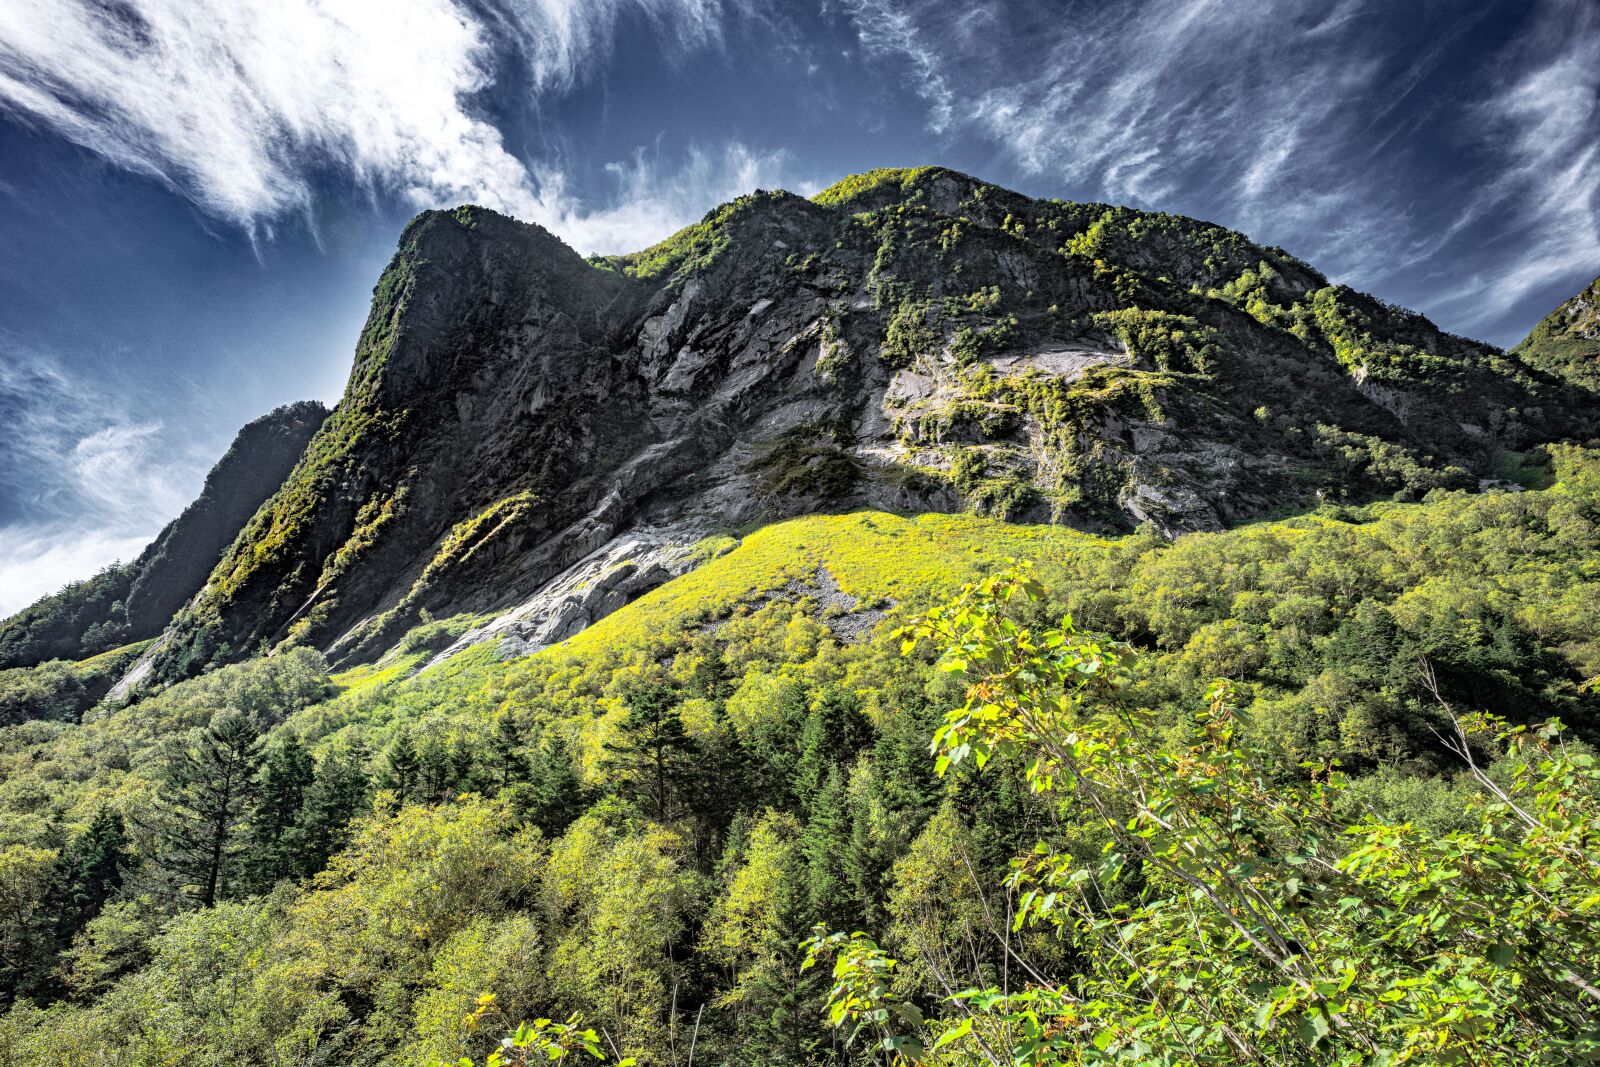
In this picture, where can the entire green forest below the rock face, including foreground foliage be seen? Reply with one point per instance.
(1313, 789)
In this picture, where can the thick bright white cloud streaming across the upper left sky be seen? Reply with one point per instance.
(242, 106)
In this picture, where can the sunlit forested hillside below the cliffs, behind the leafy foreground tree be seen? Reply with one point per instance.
(538, 858)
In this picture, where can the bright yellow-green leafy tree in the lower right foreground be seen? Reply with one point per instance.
(1231, 917)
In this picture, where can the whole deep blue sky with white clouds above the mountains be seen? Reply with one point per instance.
(198, 196)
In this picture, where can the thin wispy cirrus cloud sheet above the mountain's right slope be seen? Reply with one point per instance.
(1313, 124)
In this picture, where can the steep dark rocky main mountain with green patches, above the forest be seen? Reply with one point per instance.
(908, 340)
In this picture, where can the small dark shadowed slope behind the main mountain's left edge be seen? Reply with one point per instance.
(135, 601)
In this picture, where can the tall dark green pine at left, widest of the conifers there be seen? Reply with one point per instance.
(204, 797)
